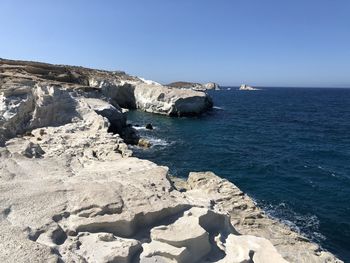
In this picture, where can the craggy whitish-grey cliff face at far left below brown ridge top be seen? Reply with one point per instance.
(32, 106)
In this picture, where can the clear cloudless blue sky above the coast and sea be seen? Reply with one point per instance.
(259, 42)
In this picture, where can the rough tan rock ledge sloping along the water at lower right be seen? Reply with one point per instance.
(249, 219)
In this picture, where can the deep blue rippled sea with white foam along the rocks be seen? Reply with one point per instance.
(287, 148)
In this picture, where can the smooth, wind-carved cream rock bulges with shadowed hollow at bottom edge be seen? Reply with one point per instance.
(202, 235)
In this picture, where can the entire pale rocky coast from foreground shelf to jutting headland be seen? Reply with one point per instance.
(71, 191)
